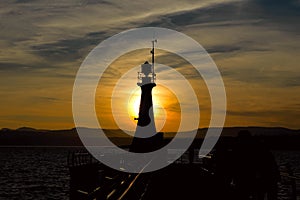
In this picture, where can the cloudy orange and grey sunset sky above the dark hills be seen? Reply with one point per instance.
(254, 43)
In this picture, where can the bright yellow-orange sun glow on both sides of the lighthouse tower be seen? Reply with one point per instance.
(124, 101)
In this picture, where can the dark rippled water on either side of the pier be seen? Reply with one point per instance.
(42, 173)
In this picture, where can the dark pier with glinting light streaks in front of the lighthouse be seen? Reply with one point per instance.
(184, 179)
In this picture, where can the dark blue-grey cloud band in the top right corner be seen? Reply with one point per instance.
(236, 13)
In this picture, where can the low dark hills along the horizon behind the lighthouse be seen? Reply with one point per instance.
(276, 137)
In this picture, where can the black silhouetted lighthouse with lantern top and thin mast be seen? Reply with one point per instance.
(146, 139)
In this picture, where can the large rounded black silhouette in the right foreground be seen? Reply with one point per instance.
(248, 170)
